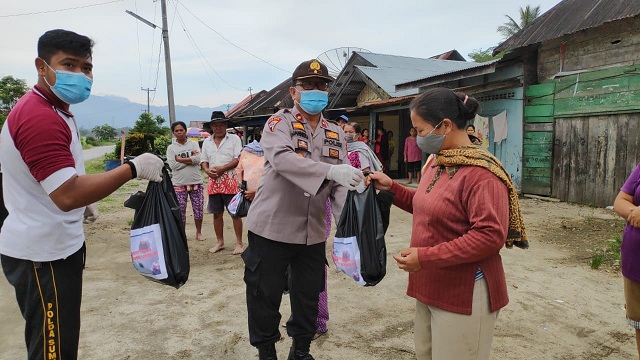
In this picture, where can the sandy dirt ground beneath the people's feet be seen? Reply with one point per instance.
(559, 307)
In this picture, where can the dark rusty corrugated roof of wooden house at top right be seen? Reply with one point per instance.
(568, 17)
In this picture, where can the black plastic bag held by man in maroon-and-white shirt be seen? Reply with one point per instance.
(159, 248)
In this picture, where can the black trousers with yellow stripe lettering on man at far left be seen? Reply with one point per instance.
(49, 296)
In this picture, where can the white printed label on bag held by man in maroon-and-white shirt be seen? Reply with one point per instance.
(147, 253)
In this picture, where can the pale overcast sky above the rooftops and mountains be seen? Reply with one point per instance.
(209, 71)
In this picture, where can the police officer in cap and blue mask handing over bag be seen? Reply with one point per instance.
(305, 163)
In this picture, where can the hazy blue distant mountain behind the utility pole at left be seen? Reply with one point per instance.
(120, 112)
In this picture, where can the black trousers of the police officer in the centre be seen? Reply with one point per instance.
(266, 263)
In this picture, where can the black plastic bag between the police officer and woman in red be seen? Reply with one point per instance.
(359, 248)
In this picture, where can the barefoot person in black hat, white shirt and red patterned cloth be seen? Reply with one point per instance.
(219, 159)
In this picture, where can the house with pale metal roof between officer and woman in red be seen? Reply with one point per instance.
(366, 91)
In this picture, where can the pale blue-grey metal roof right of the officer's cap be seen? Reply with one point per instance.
(391, 70)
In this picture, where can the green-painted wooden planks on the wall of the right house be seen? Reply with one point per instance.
(610, 91)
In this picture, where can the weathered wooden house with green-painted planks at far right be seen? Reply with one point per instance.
(582, 103)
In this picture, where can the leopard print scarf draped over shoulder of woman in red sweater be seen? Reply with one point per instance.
(452, 160)
